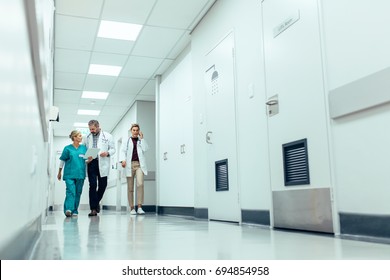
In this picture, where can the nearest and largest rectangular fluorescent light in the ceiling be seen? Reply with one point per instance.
(119, 30)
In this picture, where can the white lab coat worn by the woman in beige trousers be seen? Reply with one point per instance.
(127, 153)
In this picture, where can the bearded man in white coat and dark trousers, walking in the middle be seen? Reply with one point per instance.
(99, 167)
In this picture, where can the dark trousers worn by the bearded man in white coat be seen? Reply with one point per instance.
(97, 184)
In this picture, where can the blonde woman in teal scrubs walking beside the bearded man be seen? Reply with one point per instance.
(74, 172)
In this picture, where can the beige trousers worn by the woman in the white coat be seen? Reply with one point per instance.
(136, 171)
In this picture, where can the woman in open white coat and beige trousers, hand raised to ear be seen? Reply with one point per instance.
(134, 163)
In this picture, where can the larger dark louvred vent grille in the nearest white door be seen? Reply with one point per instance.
(296, 163)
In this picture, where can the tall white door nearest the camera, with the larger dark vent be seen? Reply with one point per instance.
(295, 101)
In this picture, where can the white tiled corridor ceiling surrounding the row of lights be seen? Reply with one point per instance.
(167, 26)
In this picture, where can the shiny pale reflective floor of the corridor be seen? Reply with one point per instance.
(119, 236)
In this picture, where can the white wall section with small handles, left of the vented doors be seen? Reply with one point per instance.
(176, 174)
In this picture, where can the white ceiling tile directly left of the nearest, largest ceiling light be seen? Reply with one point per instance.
(75, 33)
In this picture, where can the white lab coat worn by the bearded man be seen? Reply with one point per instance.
(105, 144)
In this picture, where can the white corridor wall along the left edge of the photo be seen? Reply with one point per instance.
(24, 172)
